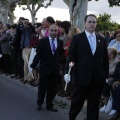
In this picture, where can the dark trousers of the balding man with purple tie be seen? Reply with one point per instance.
(48, 86)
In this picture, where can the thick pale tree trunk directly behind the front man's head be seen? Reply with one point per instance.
(78, 11)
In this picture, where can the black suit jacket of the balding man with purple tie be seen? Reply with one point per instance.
(49, 63)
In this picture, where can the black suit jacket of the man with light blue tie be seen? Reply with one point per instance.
(88, 67)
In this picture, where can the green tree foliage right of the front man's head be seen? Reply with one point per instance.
(105, 23)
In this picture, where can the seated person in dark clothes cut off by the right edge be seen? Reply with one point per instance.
(114, 83)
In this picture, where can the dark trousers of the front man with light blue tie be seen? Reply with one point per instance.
(90, 92)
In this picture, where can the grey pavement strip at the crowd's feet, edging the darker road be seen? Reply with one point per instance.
(58, 100)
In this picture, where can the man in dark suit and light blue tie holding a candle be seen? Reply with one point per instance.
(88, 52)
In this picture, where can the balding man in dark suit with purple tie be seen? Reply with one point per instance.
(48, 53)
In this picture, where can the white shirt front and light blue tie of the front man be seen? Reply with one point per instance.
(91, 40)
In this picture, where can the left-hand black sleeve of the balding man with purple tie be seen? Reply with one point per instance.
(37, 56)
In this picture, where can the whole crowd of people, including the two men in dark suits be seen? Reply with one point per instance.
(26, 54)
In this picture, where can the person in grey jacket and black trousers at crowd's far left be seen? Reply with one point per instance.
(5, 47)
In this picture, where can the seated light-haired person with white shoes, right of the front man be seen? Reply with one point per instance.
(113, 65)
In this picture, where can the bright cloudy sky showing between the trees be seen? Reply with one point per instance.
(59, 11)
